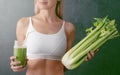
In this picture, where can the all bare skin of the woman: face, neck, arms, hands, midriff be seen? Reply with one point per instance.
(45, 22)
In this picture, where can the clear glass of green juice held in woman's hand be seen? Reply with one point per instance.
(20, 53)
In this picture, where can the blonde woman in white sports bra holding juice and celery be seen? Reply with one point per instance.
(47, 37)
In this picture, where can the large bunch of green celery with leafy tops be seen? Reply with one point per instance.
(104, 29)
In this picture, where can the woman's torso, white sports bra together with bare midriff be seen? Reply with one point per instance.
(45, 50)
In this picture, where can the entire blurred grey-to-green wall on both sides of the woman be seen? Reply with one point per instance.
(81, 14)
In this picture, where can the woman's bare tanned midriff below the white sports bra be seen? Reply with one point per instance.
(44, 67)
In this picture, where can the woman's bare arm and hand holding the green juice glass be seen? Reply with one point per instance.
(20, 34)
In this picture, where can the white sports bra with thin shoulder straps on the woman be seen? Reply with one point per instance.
(45, 46)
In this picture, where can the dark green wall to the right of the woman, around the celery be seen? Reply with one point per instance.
(81, 14)
